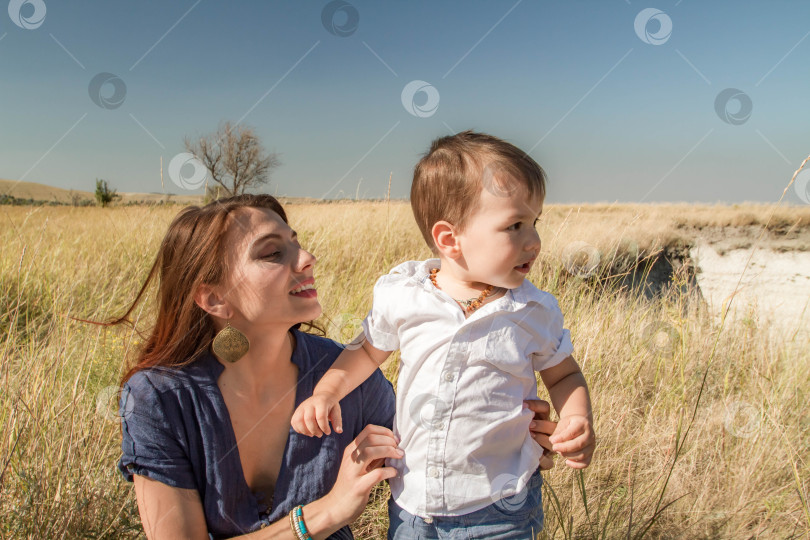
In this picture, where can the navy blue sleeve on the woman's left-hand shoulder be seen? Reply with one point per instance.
(151, 428)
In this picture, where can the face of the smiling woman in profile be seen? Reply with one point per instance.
(270, 279)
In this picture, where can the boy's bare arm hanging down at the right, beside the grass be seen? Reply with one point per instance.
(574, 437)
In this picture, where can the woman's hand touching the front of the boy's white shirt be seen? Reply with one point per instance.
(361, 469)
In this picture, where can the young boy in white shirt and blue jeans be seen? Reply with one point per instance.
(472, 331)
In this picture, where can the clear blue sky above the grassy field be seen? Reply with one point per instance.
(607, 114)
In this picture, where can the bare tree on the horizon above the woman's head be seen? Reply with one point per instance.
(234, 157)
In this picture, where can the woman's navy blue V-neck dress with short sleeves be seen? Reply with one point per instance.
(176, 429)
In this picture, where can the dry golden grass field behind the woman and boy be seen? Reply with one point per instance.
(701, 422)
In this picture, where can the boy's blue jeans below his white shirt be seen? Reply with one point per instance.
(519, 517)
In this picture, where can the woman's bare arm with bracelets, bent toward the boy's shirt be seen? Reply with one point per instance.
(173, 513)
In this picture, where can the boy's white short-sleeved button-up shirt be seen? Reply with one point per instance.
(461, 386)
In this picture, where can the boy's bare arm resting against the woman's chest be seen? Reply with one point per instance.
(351, 368)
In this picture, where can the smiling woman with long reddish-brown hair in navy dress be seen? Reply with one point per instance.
(206, 434)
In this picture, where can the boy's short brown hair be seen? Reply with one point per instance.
(448, 180)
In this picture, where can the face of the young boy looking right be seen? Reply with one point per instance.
(500, 242)
